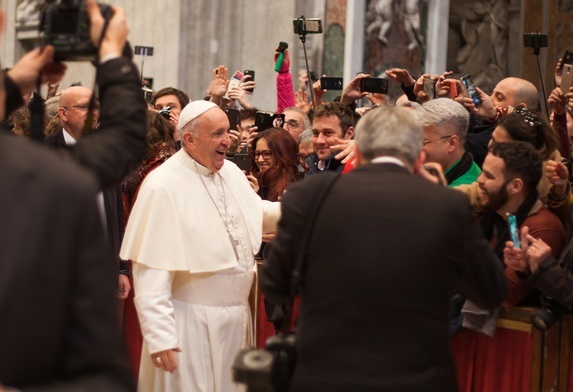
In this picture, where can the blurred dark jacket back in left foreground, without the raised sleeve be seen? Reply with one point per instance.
(59, 329)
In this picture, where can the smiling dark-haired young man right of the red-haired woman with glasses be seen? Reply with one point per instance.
(332, 121)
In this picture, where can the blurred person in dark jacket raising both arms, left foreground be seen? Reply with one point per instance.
(59, 329)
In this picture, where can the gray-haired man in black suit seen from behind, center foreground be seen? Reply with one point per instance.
(376, 288)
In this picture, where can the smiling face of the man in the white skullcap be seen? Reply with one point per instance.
(212, 139)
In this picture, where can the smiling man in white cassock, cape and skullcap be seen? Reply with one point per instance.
(192, 236)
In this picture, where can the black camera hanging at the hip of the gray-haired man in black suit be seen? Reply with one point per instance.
(268, 370)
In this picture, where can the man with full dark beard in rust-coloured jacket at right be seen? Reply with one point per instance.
(508, 185)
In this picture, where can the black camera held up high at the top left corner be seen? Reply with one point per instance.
(65, 24)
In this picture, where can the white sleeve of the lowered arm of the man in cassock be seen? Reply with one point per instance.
(154, 307)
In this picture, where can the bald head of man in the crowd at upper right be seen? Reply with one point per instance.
(515, 91)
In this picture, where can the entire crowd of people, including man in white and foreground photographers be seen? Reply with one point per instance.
(169, 207)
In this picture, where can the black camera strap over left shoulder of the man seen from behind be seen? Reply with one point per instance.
(316, 203)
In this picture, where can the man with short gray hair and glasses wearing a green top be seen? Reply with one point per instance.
(445, 126)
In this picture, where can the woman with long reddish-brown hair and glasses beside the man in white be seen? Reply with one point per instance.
(274, 162)
